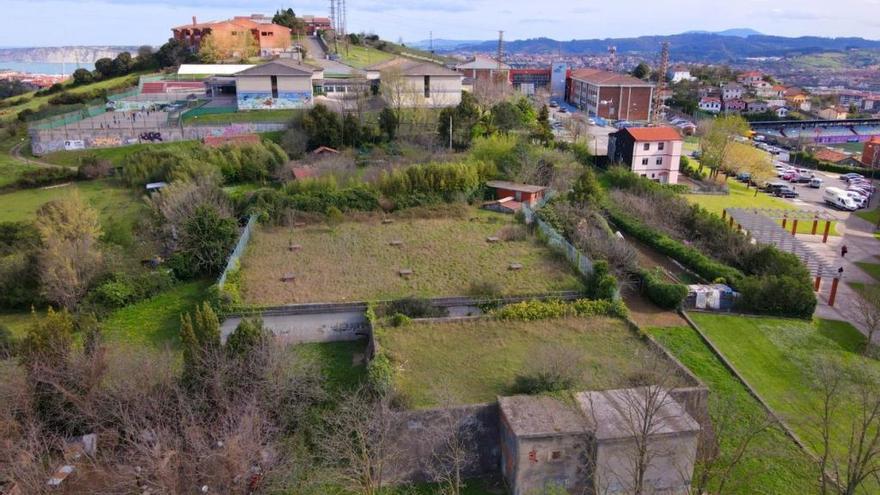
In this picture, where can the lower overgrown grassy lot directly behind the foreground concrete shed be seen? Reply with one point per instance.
(476, 361)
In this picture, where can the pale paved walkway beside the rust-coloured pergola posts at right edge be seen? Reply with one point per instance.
(858, 236)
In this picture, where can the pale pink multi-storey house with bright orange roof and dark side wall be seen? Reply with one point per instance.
(651, 152)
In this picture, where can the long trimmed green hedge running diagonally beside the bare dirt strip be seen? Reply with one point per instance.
(704, 266)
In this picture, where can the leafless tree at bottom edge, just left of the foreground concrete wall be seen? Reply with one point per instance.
(357, 441)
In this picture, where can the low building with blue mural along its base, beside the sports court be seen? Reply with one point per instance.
(280, 84)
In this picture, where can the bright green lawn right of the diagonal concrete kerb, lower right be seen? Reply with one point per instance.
(777, 356)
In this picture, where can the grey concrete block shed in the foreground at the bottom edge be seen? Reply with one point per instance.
(590, 445)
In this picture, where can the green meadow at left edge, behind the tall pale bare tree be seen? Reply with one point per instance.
(113, 202)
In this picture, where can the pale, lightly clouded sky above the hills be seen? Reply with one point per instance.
(132, 22)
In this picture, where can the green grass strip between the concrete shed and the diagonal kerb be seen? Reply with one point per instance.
(773, 464)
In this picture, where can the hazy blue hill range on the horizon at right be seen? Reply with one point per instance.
(694, 47)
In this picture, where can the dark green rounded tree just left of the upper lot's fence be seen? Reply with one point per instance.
(208, 237)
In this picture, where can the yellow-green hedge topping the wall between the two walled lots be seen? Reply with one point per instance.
(541, 310)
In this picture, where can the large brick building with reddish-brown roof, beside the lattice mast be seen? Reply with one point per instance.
(610, 95)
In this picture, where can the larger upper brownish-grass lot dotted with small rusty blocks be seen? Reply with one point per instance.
(354, 261)
